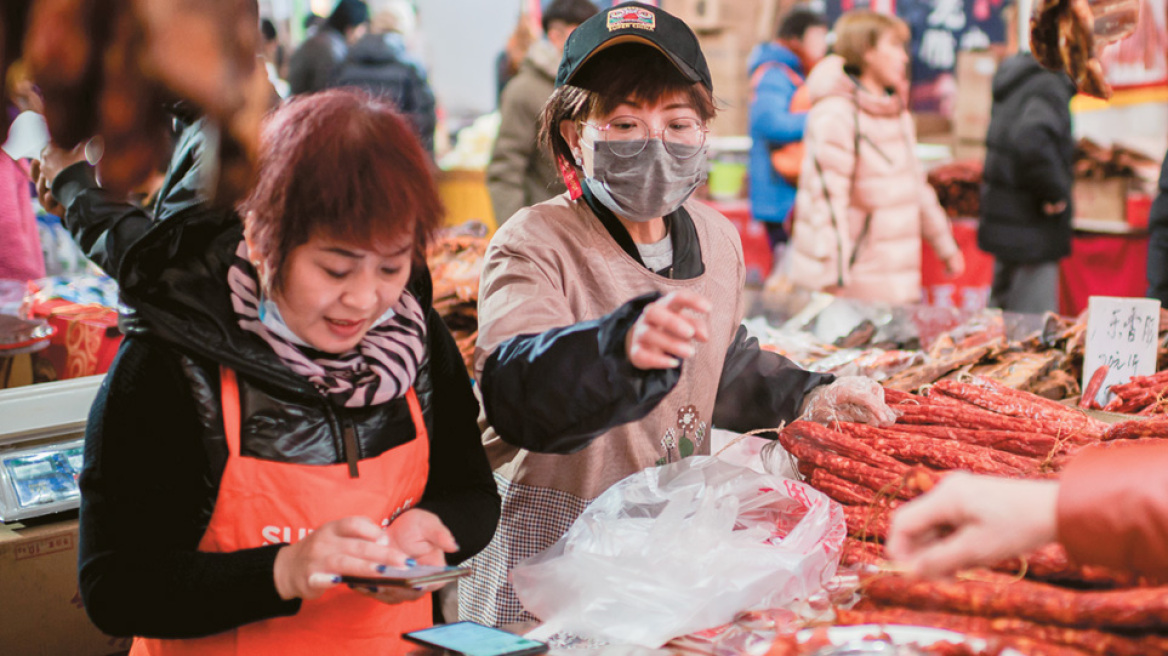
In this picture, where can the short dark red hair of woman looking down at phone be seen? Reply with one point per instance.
(340, 164)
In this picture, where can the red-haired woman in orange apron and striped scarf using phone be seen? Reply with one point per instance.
(269, 425)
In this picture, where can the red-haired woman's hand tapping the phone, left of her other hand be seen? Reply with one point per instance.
(352, 546)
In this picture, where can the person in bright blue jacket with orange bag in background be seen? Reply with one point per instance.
(777, 71)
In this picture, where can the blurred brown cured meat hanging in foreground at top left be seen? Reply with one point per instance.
(110, 68)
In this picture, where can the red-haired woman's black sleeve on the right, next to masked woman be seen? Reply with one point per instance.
(462, 488)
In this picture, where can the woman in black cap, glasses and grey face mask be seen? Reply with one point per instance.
(610, 333)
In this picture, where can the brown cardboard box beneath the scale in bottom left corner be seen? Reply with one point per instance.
(40, 604)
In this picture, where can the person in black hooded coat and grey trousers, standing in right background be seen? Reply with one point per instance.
(1026, 198)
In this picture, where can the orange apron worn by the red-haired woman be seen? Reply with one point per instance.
(263, 503)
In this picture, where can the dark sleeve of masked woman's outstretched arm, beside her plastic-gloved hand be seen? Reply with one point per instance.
(761, 389)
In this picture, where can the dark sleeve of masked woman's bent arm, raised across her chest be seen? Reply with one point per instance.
(557, 392)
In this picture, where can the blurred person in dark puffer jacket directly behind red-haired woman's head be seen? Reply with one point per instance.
(380, 65)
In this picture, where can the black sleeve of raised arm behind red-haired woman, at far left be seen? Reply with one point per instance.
(105, 228)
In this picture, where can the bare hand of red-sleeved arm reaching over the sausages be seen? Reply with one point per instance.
(969, 521)
